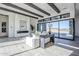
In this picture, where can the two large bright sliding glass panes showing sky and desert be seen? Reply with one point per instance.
(62, 29)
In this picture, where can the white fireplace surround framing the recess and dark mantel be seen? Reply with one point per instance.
(17, 25)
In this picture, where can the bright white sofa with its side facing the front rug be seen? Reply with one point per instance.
(32, 41)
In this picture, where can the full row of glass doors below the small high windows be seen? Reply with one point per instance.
(61, 28)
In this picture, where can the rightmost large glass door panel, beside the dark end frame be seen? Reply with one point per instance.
(66, 29)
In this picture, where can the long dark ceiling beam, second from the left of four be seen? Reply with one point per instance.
(19, 8)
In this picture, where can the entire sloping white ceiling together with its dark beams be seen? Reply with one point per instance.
(35, 10)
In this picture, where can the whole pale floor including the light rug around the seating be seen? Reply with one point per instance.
(17, 47)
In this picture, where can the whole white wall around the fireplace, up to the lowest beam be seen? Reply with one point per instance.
(14, 23)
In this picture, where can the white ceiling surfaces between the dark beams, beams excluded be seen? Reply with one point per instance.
(43, 6)
